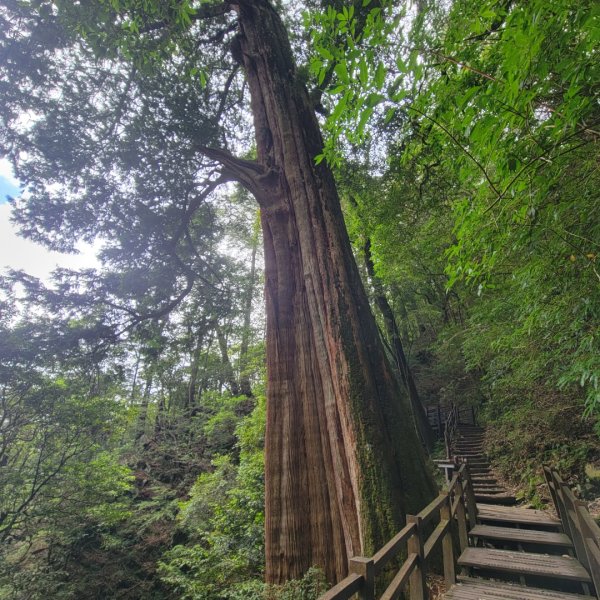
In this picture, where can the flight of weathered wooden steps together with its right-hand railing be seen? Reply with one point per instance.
(519, 553)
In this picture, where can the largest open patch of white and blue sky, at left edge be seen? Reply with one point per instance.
(18, 253)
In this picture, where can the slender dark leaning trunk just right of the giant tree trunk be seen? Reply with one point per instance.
(391, 329)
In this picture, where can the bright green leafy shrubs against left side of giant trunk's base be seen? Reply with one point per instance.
(223, 521)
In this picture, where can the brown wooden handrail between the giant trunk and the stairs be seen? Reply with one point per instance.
(449, 506)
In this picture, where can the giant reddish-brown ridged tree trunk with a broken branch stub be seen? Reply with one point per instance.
(343, 463)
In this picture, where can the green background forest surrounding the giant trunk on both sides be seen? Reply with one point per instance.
(464, 138)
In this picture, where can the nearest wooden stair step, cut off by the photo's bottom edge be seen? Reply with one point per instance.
(479, 589)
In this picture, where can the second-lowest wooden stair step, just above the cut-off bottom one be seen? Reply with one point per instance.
(565, 568)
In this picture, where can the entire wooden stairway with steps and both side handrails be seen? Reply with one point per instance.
(506, 552)
